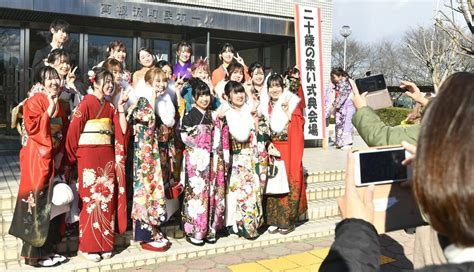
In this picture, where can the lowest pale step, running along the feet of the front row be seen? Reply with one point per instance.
(134, 256)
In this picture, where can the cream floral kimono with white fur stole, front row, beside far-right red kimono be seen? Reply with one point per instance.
(244, 211)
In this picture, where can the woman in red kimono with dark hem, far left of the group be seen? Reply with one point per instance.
(46, 124)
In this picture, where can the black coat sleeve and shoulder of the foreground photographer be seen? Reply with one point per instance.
(356, 248)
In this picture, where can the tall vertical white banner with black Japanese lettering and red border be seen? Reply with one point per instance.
(309, 60)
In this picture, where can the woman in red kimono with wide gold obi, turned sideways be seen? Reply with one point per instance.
(94, 125)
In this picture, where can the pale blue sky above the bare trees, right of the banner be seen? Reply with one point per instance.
(372, 20)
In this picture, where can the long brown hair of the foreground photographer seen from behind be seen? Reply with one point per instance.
(444, 176)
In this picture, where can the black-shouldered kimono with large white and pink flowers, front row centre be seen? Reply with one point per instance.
(204, 199)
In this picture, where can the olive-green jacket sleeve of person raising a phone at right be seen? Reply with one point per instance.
(375, 133)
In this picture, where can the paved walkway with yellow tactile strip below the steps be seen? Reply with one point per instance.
(397, 255)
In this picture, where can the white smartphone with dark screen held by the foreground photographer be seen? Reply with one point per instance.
(380, 165)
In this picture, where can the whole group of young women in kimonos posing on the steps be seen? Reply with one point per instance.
(215, 139)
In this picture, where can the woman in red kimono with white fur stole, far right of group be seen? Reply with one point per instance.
(281, 108)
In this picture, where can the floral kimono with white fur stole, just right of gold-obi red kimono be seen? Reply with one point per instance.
(152, 132)
